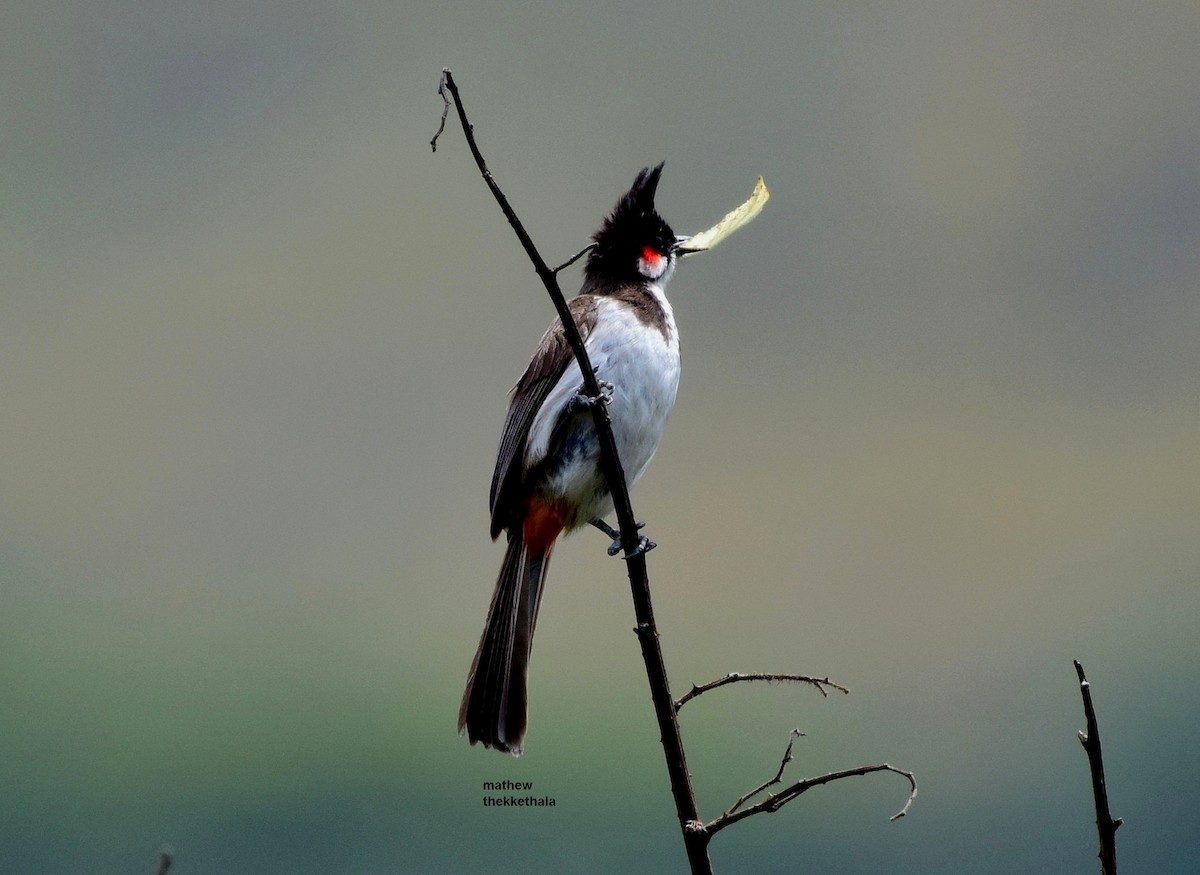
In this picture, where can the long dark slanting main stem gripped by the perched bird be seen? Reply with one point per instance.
(694, 835)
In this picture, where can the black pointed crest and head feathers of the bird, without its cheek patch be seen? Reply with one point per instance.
(633, 226)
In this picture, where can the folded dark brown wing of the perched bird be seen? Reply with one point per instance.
(547, 368)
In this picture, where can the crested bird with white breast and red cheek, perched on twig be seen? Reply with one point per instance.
(548, 480)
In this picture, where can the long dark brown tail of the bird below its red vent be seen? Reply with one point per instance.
(494, 705)
